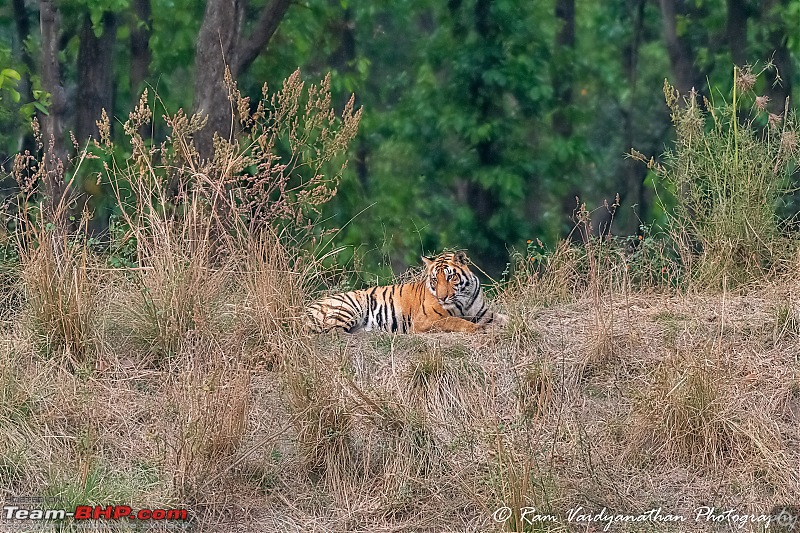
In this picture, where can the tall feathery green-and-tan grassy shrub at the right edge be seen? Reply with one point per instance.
(730, 167)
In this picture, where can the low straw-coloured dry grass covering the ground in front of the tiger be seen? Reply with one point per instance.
(696, 403)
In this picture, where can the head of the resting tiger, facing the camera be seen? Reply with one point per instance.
(449, 278)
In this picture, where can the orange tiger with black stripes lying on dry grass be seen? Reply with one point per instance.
(447, 299)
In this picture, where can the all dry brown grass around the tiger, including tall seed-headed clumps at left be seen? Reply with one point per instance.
(186, 380)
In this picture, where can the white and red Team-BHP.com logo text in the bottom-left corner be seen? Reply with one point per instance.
(94, 512)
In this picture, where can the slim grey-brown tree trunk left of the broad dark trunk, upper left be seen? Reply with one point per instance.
(52, 124)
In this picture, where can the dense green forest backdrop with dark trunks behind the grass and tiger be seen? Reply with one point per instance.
(485, 122)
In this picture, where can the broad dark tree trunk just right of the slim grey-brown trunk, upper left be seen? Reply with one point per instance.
(95, 76)
